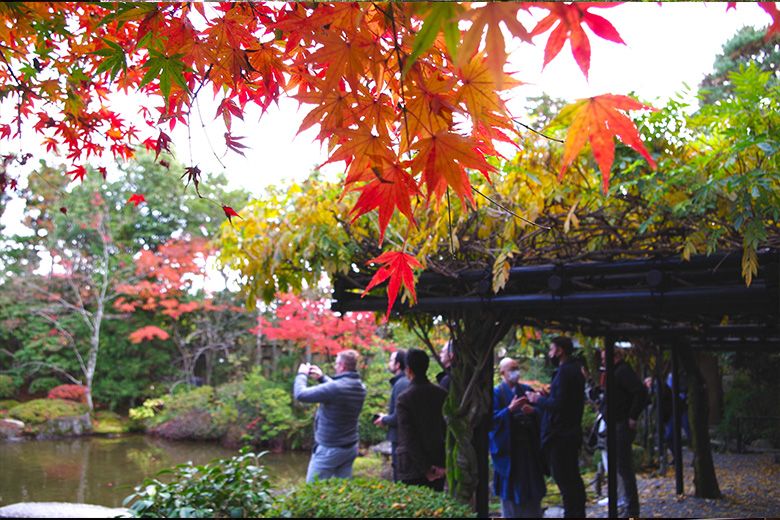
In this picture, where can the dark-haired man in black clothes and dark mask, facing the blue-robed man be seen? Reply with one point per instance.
(562, 424)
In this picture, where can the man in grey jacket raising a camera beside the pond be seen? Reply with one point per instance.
(336, 422)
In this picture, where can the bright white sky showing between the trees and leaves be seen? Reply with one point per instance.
(667, 46)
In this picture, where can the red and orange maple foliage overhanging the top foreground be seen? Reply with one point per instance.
(406, 95)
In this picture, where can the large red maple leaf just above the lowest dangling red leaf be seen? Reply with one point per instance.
(392, 188)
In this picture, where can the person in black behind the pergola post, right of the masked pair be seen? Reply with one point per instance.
(629, 399)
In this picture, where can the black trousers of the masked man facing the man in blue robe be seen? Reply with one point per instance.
(563, 457)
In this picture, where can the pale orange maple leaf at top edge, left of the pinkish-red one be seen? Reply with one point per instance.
(487, 19)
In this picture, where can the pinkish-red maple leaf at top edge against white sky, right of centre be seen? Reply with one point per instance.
(569, 18)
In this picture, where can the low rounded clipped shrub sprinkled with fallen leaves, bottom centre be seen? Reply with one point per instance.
(367, 498)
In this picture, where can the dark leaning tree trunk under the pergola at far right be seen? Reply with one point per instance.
(704, 479)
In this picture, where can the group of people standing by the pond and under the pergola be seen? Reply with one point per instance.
(534, 433)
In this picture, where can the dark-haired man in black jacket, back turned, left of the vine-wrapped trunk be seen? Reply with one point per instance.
(421, 426)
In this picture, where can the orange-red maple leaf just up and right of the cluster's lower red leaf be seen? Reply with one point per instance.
(443, 159)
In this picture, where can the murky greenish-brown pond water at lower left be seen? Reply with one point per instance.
(103, 471)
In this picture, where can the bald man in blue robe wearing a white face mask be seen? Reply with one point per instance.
(514, 445)
